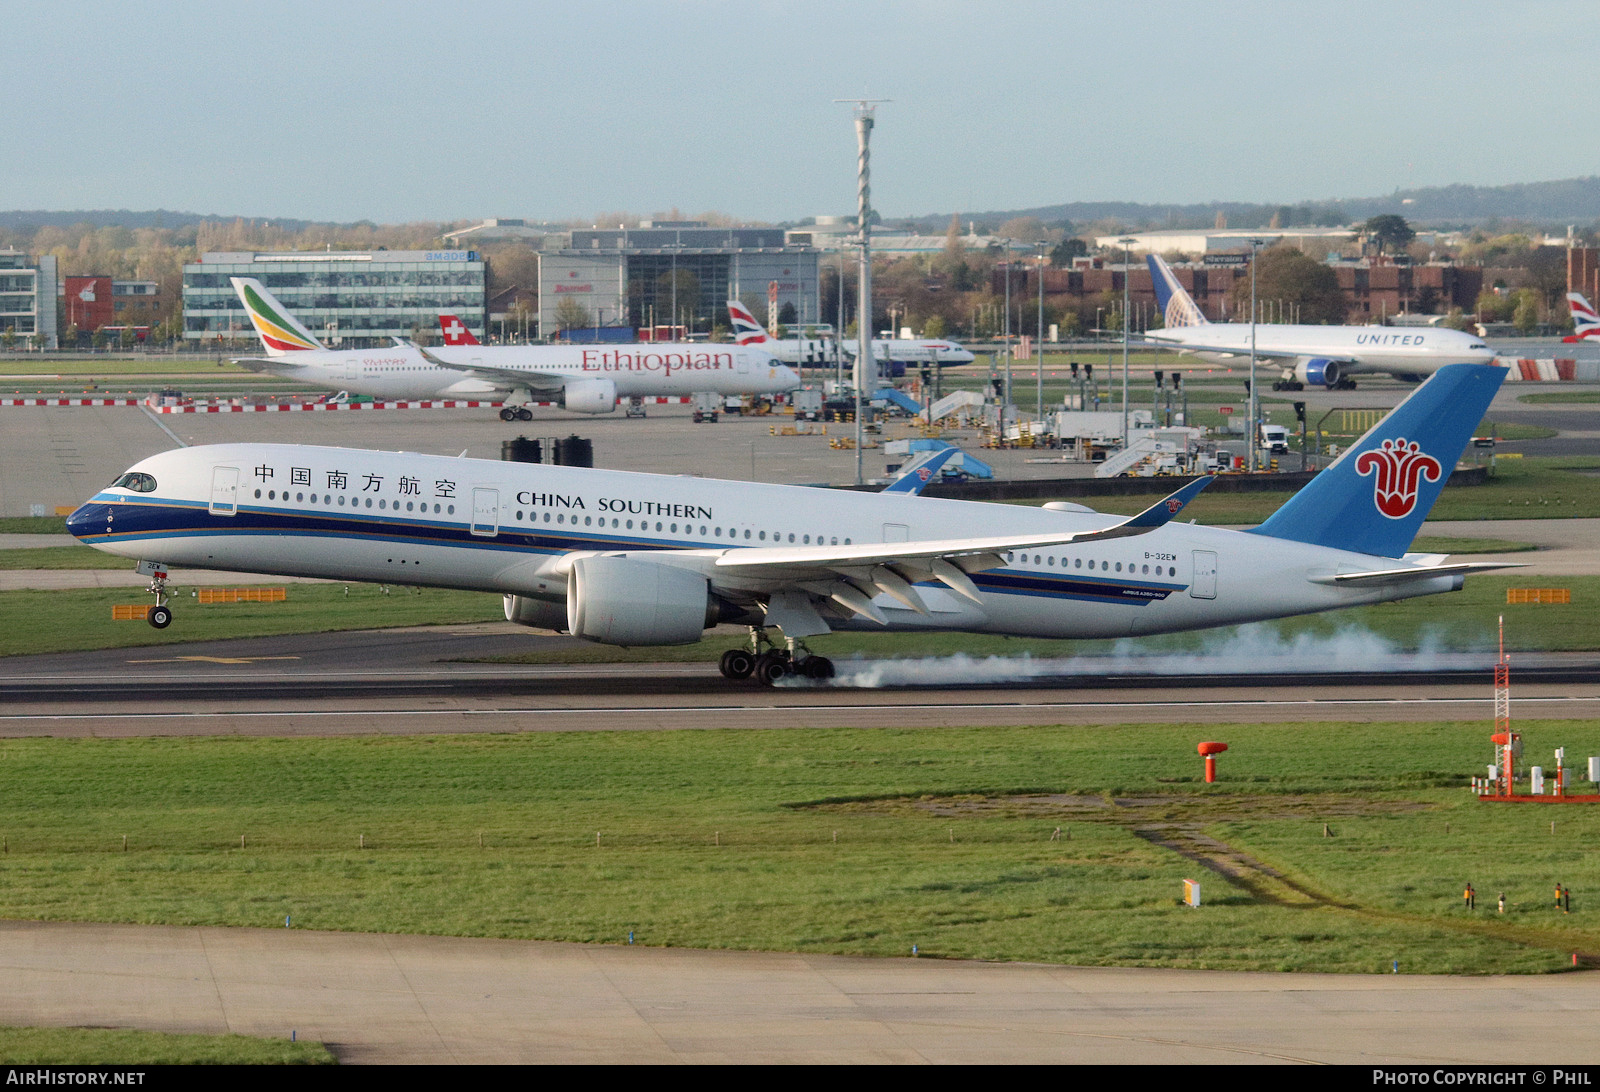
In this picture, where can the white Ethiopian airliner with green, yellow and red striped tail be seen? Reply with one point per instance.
(582, 379)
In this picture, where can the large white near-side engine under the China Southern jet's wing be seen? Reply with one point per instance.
(620, 601)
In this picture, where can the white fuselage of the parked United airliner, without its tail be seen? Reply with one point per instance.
(1396, 350)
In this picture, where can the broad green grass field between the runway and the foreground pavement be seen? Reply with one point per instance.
(842, 841)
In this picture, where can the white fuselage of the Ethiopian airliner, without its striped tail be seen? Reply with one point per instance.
(402, 372)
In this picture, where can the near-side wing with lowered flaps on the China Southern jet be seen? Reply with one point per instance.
(794, 580)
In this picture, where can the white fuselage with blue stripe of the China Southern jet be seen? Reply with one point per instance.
(510, 528)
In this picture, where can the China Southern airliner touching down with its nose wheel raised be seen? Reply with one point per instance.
(646, 560)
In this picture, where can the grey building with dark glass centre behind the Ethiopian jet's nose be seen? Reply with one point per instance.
(646, 276)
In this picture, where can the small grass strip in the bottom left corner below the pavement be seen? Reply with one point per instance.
(124, 1048)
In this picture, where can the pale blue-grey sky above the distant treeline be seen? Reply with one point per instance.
(353, 110)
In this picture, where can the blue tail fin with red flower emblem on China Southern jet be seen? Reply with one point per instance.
(1377, 496)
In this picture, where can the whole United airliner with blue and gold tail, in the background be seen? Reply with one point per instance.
(1321, 356)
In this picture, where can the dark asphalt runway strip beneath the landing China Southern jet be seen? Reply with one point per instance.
(426, 681)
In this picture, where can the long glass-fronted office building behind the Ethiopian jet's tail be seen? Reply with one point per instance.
(343, 297)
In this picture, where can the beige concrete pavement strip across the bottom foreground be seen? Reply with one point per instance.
(444, 1000)
